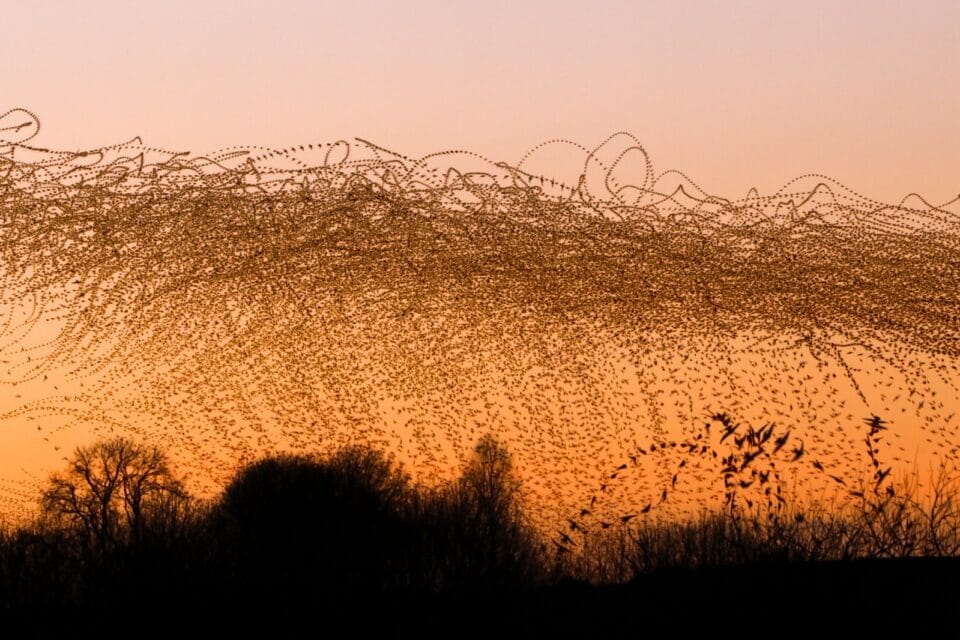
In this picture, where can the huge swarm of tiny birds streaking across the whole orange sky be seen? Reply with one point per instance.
(255, 300)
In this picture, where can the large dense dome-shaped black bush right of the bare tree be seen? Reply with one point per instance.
(298, 526)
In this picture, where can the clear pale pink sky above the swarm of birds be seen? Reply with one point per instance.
(736, 94)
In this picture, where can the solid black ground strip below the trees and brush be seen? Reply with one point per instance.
(765, 599)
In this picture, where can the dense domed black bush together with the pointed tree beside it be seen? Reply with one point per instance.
(353, 522)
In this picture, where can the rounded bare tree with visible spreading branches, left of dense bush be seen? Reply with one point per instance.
(109, 491)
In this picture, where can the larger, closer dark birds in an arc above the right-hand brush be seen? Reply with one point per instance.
(752, 465)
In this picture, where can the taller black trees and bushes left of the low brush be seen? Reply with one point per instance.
(119, 532)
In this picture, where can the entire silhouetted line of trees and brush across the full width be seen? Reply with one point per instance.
(293, 537)
